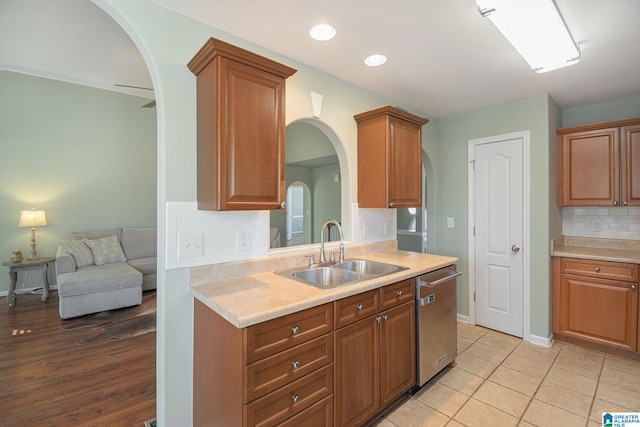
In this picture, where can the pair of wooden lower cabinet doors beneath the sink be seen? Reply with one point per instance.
(374, 364)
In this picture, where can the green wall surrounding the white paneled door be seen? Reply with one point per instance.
(454, 134)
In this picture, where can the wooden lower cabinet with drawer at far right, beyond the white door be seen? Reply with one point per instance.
(596, 301)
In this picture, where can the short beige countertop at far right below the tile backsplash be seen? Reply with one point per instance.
(617, 250)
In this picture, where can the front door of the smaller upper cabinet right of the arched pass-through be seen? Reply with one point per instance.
(405, 164)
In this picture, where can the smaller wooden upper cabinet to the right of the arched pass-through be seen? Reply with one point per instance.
(389, 158)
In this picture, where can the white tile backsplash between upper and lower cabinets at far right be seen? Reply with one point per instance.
(606, 223)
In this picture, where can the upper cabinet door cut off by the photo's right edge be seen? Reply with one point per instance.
(630, 164)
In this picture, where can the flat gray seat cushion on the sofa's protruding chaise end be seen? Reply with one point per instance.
(98, 278)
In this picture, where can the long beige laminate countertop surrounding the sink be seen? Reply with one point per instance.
(257, 298)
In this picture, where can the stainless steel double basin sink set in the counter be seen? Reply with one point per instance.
(328, 276)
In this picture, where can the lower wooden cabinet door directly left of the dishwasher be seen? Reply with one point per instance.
(397, 352)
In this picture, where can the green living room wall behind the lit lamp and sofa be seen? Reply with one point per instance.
(87, 156)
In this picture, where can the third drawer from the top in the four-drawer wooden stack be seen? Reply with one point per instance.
(291, 399)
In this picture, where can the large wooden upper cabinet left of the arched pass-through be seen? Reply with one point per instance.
(241, 128)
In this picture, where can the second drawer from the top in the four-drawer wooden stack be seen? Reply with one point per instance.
(280, 369)
